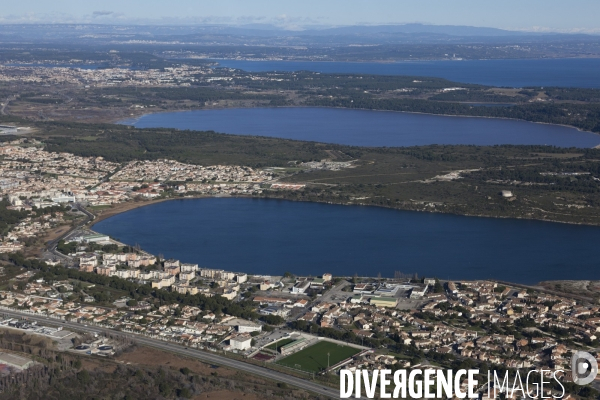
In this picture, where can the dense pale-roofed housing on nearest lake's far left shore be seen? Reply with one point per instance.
(32, 177)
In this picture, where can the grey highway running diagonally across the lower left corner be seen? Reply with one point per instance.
(207, 357)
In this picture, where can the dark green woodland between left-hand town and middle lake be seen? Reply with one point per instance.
(122, 143)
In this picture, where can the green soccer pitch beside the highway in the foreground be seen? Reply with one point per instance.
(314, 358)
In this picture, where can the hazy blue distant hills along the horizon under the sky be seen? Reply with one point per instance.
(270, 35)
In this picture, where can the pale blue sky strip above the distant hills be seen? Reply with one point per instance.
(540, 15)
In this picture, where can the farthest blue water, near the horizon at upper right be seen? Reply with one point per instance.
(568, 72)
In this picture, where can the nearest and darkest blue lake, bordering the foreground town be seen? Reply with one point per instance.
(273, 236)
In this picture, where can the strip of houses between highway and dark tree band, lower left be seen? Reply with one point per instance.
(181, 324)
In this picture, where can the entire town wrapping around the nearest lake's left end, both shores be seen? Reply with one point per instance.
(403, 322)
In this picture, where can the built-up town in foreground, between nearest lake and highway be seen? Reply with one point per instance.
(411, 320)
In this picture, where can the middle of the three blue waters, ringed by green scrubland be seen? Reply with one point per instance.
(368, 128)
